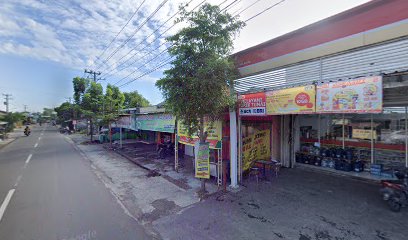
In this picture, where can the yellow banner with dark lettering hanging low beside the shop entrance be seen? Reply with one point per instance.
(255, 147)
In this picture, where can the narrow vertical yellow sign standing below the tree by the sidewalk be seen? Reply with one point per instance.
(202, 160)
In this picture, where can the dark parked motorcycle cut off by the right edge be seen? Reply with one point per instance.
(395, 192)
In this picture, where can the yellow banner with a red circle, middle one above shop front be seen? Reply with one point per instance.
(298, 100)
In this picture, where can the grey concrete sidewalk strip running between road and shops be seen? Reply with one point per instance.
(147, 197)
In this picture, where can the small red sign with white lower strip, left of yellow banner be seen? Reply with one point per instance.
(253, 104)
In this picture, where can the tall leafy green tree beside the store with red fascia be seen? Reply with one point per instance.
(197, 84)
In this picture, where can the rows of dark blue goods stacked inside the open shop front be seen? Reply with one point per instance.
(337, 158)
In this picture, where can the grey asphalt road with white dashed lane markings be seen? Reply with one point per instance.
(48, 191)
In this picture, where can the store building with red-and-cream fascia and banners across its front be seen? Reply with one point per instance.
(334, 88)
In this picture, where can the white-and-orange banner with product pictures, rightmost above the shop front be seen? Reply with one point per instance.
(363, 95)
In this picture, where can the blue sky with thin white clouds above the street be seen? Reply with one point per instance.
(44, 44)
